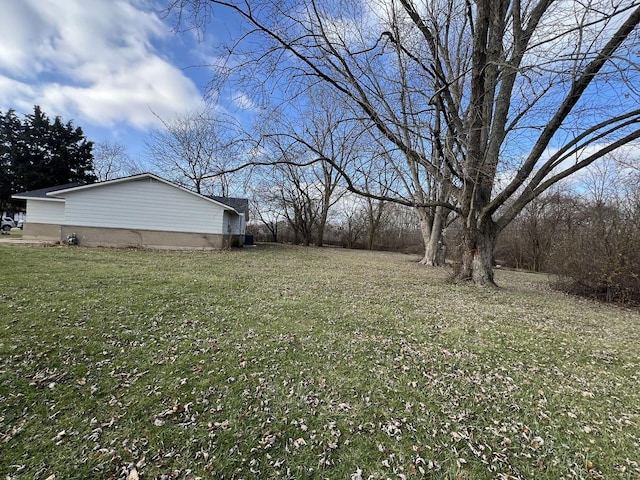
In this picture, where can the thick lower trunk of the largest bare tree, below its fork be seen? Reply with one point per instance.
(477, 255)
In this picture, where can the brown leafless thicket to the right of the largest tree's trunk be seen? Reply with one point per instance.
(585, 237)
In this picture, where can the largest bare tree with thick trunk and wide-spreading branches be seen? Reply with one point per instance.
(526, 91)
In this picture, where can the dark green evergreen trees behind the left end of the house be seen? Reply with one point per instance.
(36, 152)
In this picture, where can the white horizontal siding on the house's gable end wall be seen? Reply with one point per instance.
(144, 204)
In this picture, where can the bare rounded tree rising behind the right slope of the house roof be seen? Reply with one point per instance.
(197, 150)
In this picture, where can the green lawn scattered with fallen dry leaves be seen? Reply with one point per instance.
(284, 362)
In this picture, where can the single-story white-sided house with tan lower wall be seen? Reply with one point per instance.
(141, 210)
